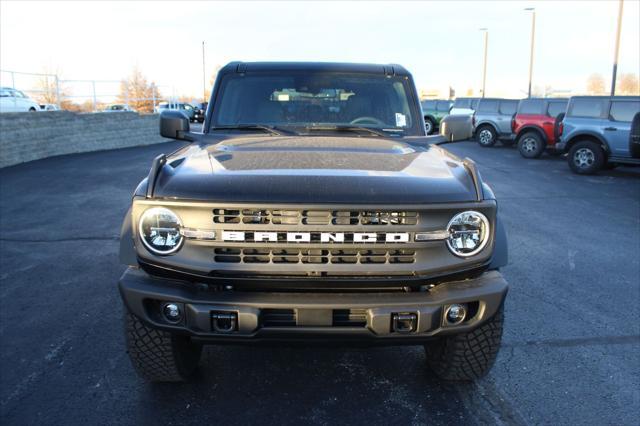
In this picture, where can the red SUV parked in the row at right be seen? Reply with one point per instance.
(537, 125)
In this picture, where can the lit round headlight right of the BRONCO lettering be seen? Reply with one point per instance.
(468, 233)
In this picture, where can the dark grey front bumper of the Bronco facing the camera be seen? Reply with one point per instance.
(310, 316)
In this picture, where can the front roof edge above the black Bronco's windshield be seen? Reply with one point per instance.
(390, 69)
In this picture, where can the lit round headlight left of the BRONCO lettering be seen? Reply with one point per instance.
(160, 230)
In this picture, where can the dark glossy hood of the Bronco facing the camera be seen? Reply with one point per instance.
(315, 170)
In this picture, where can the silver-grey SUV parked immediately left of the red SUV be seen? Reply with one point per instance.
(492, 121)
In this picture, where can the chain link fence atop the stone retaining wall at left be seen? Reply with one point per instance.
(86, 95)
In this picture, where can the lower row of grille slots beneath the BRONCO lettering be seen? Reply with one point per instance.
(313, 256)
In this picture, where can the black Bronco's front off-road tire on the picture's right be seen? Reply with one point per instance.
(467, 356)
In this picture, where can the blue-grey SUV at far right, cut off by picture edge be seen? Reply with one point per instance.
(600, 130)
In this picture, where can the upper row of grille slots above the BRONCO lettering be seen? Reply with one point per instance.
(314, 217)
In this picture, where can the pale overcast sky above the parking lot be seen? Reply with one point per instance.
(439, 42)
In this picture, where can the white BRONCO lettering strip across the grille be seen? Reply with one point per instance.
(320, 237)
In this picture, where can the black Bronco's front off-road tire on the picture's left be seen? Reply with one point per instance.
(158, 356)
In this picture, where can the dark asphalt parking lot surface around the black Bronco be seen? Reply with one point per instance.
(570, 355)
